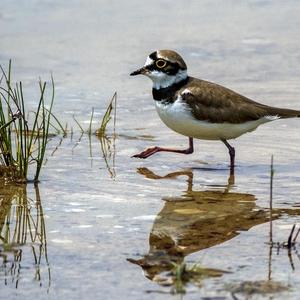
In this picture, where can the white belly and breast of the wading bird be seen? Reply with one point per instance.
(179, 118)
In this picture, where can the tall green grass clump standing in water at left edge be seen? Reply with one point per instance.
(22, 144)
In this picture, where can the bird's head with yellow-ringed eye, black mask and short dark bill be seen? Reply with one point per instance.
(164, 68)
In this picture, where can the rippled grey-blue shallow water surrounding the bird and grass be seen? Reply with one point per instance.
(109, 230)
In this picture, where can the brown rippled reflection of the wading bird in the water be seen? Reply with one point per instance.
(197, 220)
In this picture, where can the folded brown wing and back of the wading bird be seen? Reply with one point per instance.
(217, 104)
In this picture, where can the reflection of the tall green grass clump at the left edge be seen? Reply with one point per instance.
(22, 228)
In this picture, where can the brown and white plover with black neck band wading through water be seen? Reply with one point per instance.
(200, 109)
